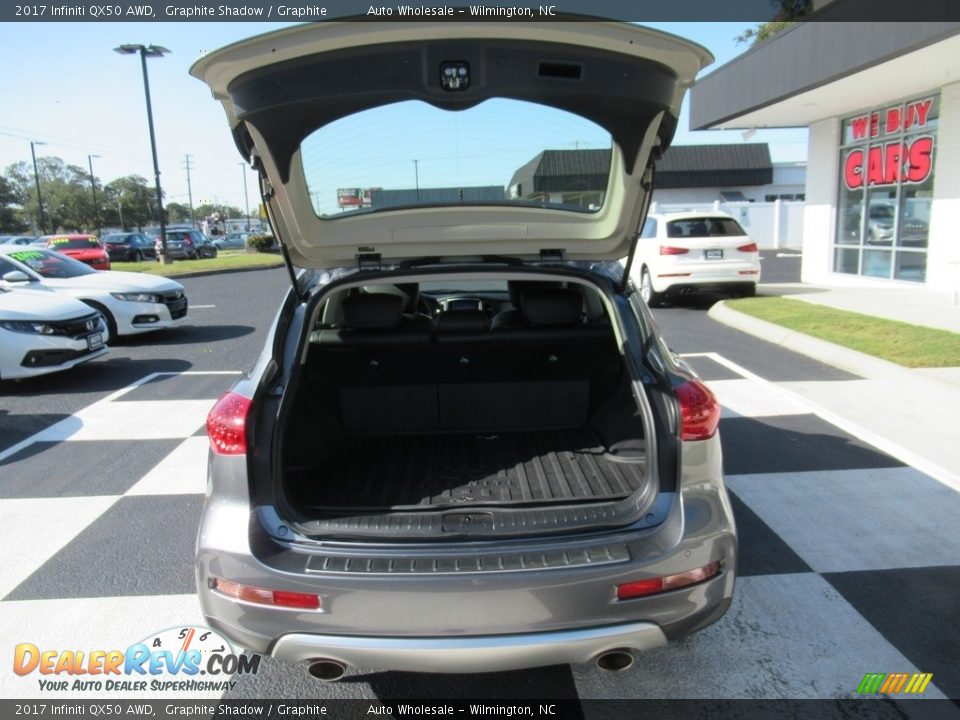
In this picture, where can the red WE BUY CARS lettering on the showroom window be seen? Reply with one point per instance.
(902, 160)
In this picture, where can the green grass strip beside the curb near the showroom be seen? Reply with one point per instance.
(908, 345)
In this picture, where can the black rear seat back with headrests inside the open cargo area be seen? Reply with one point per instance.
(391, 375)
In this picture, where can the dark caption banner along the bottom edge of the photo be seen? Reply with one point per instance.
(872, 709)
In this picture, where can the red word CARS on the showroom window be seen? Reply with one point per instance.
(910, 161)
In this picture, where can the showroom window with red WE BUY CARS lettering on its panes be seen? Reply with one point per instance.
(886, 190)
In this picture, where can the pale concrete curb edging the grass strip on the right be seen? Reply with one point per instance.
(852, 361)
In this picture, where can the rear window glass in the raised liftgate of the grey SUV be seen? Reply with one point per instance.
(498, 152)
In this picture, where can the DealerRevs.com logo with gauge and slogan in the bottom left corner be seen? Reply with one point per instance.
(188, 659)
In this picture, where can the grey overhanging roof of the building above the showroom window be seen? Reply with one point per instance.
(817, 70)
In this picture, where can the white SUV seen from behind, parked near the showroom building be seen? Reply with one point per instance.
(680, 253)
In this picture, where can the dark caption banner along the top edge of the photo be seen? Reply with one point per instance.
(480, 11)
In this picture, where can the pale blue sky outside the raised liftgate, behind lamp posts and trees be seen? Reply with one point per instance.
(63, 84)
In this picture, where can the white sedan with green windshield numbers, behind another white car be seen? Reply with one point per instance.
(131, 303)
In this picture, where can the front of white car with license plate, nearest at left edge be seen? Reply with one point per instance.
(42, 332)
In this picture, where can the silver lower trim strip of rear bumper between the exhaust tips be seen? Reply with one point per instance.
(469, 654)
